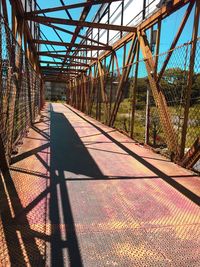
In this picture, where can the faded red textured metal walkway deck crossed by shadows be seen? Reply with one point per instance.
(83, 194)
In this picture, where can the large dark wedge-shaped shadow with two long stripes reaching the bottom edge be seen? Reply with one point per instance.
(68, 155)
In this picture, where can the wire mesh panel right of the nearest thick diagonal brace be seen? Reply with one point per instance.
(174, 86)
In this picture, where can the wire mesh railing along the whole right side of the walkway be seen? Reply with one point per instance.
(138, 113)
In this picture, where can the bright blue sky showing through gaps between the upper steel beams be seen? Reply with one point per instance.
(169, 26)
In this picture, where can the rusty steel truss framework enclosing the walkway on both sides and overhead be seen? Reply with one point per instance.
(90, 67)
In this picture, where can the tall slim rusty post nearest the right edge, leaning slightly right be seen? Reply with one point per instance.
(190, 78)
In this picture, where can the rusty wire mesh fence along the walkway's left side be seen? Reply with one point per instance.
(19, 90)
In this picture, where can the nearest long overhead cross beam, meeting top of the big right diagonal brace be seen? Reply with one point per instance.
(113, 27)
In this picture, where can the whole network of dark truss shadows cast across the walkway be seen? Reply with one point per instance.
(69, 161)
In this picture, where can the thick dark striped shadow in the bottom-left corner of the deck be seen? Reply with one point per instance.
(17, 231)
